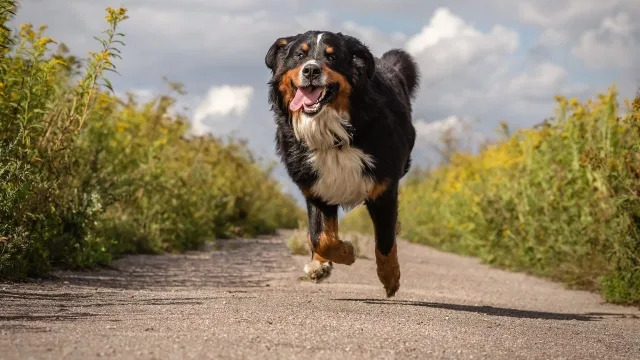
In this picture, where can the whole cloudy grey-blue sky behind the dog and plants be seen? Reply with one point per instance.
(482, 62)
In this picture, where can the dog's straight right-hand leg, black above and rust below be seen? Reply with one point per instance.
(384, 214)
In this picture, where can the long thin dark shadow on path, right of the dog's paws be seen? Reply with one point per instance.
(496, 311)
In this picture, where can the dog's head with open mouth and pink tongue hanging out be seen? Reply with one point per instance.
(318, 69)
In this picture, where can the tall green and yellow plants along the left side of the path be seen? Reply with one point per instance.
(85, 175)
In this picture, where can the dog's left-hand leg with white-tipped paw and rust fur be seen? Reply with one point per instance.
(323, 239)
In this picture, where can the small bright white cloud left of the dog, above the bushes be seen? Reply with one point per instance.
(222, 105)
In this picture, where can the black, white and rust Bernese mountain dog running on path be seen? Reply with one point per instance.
(345, 135)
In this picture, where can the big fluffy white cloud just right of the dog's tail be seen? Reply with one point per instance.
(459, 63)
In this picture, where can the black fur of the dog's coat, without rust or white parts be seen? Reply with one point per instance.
(380, 116)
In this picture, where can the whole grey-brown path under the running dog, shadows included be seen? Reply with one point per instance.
(246, 301)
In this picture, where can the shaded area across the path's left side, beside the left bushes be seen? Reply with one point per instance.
(99, 295)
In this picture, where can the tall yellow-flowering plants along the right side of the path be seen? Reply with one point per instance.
(561, 200)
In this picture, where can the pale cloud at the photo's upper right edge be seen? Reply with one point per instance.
(615, 43)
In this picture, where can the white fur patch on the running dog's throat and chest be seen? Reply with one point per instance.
(340, 169)
